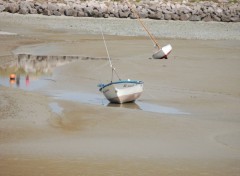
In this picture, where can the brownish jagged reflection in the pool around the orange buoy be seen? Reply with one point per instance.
(25, 67)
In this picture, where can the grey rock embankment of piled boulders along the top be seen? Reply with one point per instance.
(153, 9)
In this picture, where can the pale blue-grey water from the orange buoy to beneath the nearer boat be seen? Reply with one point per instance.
(83, 97)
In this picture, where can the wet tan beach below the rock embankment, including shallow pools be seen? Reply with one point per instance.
(187, 121)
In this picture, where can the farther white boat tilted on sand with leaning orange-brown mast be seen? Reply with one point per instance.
(162, 52)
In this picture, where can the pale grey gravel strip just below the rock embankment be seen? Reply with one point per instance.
(125, 27)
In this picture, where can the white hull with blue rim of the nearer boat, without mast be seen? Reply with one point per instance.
(122, 91)
